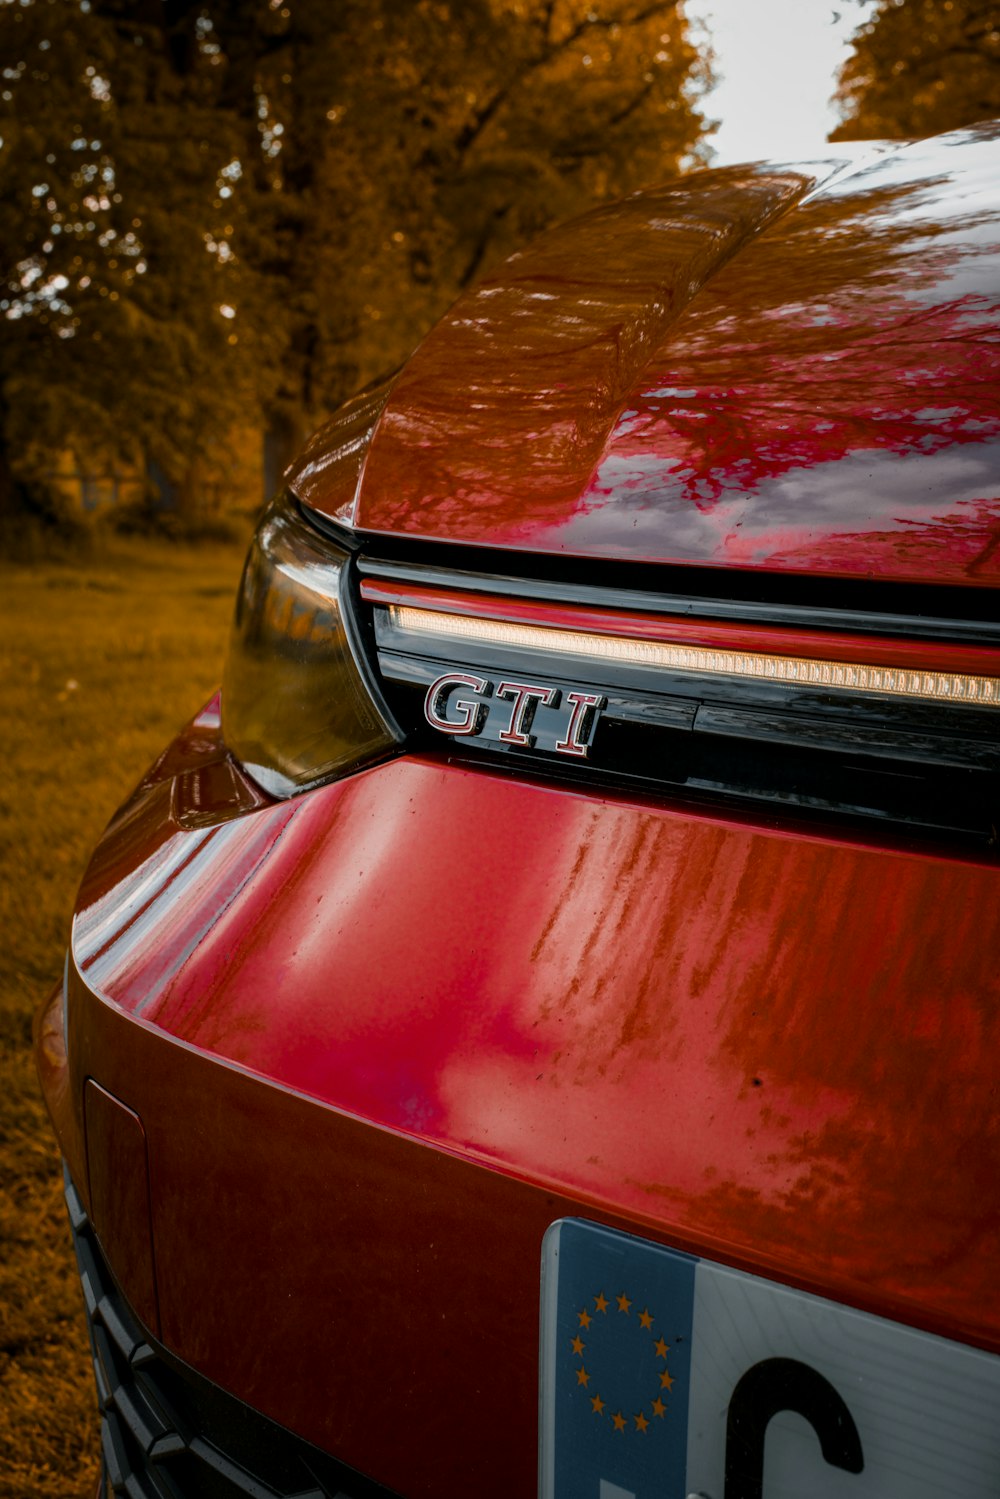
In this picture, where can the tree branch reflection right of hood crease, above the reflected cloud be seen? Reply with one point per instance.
(824, 341)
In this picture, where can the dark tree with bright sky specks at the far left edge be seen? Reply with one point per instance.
(116, 343)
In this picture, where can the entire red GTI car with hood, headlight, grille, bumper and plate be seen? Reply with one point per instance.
(539, 1034)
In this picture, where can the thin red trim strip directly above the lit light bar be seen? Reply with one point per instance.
(816, 645)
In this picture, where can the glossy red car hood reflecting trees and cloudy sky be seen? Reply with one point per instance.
(779, 368)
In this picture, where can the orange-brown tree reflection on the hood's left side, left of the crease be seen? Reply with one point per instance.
(506, 407)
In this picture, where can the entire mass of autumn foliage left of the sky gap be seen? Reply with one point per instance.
(221, 212)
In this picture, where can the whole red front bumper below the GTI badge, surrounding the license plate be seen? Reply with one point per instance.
(334, 1067)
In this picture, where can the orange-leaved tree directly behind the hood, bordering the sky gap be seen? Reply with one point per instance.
(466, 130)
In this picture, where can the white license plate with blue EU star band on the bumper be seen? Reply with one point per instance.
(665, 1377)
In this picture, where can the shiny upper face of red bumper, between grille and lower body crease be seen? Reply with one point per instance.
(753, 1061)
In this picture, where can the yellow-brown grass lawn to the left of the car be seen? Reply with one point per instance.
(101, 663)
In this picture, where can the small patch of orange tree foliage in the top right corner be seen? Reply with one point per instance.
(921, 67)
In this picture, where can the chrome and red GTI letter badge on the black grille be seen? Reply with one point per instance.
(519, 714)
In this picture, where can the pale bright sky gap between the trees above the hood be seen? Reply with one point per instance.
(777, 61)
